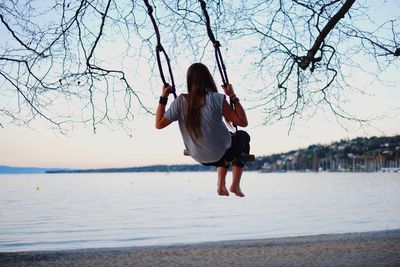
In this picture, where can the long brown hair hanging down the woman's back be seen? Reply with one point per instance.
(199, 83)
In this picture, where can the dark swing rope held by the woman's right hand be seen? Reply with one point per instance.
(217, 50)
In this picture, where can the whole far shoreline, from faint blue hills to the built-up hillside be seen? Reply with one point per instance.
(373, 154)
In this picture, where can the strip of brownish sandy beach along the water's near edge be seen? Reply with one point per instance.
(355, 249)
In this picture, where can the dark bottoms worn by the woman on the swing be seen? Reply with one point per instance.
(240, 145)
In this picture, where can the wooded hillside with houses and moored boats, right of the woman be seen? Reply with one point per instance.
(356, 155)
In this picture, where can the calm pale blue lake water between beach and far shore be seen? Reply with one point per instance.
(68, 211)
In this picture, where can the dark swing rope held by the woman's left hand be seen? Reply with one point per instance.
(160, 49)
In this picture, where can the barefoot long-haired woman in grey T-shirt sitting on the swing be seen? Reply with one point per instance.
(205, 135)
